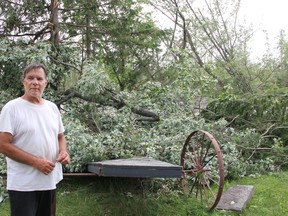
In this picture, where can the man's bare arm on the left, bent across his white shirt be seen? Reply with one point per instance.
(17, 154)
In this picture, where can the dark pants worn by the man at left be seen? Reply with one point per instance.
(32, 203)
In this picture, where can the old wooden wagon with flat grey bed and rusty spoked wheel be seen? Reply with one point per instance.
(201, 169)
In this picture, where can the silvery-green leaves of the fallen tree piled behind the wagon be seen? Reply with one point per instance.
(120, 135)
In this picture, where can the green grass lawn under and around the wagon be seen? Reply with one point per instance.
(86, 196)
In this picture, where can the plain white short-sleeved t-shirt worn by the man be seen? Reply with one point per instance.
(35, 129)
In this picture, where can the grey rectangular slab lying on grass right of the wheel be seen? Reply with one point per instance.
(236, 197)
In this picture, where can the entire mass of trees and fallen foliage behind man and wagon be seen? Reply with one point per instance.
(120, 96)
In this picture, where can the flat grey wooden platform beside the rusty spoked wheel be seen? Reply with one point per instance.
(141, 167)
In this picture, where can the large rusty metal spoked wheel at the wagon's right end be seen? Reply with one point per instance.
(203, 168)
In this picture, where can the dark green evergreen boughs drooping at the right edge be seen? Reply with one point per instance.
(266, 113)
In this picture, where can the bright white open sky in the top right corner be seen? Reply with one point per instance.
(265, 15)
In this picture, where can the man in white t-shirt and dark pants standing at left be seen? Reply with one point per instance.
(32, 139)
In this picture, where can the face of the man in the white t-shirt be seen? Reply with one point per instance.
(35, 81)
